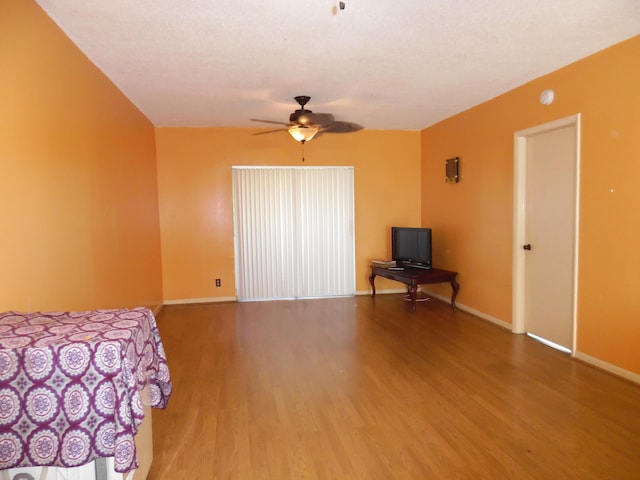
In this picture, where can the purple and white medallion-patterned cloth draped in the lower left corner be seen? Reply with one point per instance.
(71, 383)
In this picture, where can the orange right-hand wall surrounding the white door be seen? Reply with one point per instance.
(474, 219)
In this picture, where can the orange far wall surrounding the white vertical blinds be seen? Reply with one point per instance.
(194, 181)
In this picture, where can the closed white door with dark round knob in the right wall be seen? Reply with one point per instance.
(546, 243)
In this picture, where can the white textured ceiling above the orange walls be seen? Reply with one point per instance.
(383, 64)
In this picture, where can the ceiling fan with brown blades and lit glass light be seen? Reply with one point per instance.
(305, 125)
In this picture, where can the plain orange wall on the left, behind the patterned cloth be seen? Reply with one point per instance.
(78, 196)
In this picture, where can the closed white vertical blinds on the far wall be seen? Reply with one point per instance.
(294, 235)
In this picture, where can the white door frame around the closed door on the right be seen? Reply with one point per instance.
(521, 138)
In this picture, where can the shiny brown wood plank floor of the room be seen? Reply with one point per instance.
(361, 388)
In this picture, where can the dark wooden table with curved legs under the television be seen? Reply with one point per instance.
(412, 277)
